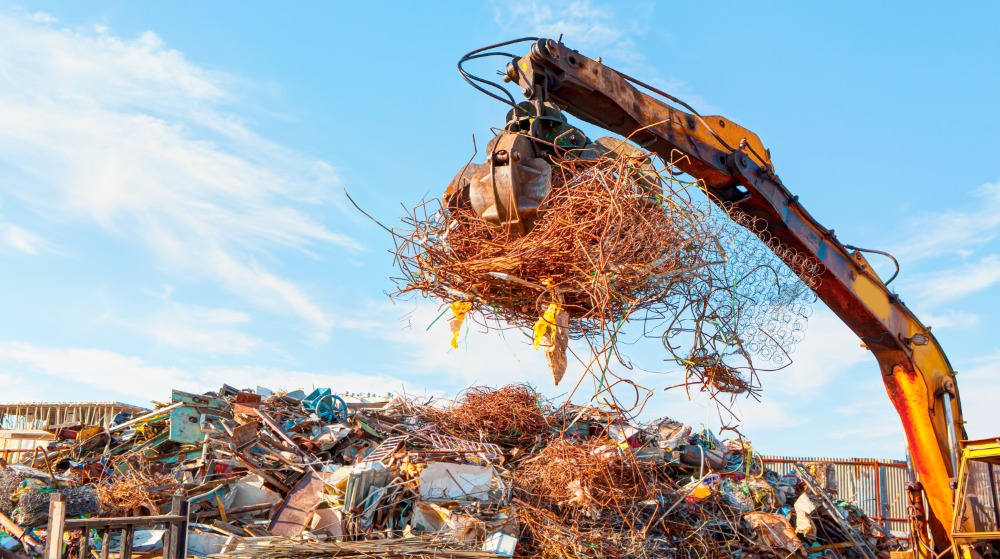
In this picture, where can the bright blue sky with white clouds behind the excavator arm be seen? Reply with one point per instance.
(172, 176)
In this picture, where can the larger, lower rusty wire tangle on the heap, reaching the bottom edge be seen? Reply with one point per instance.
(594, 500)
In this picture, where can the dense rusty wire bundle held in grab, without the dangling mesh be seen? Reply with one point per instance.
(607, 245)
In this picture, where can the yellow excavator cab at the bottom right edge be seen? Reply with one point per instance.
(976, 526)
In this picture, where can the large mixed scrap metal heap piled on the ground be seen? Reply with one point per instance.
(496, 473)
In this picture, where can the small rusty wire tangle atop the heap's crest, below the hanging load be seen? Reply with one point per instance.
(509, 416)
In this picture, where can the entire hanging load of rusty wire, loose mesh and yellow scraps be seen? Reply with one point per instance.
(617, 237)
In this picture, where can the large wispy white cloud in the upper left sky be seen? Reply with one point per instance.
(129, 136)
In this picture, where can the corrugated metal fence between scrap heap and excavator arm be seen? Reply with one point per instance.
(876, 486)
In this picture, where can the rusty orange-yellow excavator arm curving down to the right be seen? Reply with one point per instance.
(735, 168)
